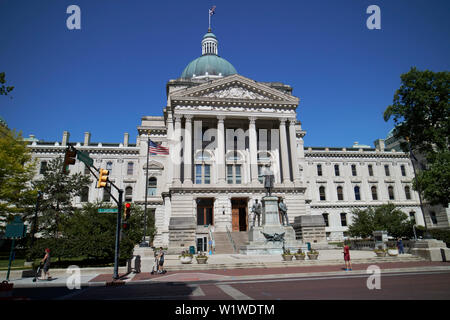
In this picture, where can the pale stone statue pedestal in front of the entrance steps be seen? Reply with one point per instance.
(258, 244)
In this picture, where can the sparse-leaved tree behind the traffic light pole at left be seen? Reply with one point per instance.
(58, 190)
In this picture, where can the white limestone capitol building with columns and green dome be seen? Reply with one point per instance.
(223, 130)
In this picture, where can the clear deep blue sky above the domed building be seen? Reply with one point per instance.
(106, 76)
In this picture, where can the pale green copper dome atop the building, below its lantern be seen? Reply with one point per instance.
(211, 64)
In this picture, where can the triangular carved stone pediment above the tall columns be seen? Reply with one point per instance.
(235, 87)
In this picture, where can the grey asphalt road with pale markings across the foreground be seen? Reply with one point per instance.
(404, 286)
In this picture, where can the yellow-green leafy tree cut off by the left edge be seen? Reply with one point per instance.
(16, 171)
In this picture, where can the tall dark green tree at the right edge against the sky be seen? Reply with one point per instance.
(421, 112)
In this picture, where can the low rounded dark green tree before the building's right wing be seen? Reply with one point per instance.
(386, 217)
